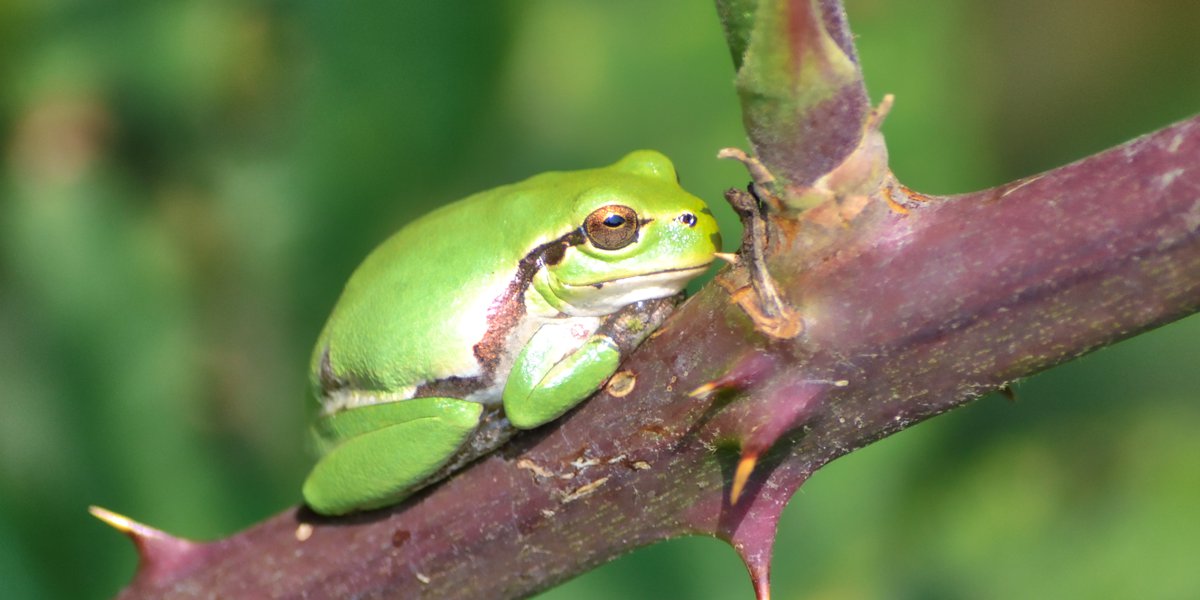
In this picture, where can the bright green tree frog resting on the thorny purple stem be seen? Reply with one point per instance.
(495, 314)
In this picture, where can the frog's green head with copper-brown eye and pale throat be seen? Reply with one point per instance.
(640, 237)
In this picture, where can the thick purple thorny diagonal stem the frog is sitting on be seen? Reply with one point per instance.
(907, 316)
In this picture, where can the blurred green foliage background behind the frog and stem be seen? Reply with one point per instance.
(187, 185)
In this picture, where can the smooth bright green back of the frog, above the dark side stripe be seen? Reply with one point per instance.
(416, 309)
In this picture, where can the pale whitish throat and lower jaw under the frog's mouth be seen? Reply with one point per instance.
(608, 297)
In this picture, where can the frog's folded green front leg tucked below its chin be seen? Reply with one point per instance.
(549, 377)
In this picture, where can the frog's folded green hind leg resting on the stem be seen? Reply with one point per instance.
(379, 455)
